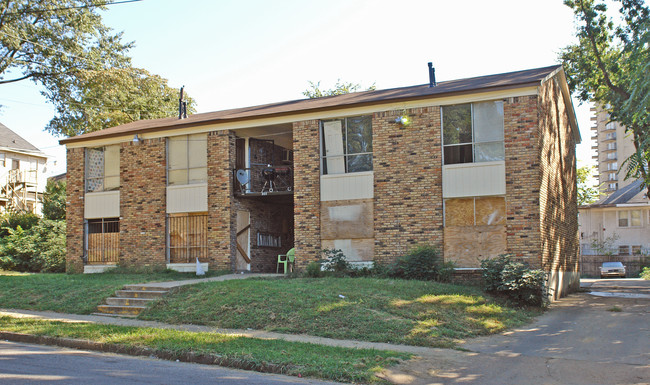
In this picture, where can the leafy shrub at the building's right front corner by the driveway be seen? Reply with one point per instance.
(515, 280)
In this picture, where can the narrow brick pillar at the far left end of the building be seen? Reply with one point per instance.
(75, 210)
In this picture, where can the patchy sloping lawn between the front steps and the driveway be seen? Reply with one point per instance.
(378, 310)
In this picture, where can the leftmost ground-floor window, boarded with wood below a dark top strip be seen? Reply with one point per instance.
(103, 241)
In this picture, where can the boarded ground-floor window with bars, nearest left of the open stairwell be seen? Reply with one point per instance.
(187, 237)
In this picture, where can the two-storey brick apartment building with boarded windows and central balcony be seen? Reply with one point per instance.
(478, 166)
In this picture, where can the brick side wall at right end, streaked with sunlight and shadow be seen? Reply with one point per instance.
(558, 192)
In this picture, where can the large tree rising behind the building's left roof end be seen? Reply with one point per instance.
(82, 65)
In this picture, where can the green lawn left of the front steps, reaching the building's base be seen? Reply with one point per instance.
(71, 293)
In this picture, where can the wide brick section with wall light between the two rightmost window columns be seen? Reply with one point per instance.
(407, 163)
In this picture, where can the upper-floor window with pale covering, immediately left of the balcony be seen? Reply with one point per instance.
(187, 157)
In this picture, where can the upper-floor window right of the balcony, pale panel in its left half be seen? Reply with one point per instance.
(347, 145)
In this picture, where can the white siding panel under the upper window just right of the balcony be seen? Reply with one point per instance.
(346, 186)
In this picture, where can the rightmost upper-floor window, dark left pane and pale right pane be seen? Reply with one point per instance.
(473, 132)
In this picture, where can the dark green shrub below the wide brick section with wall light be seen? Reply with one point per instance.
(423, 262)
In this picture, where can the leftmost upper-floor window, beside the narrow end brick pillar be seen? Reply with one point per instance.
(103, 168)
